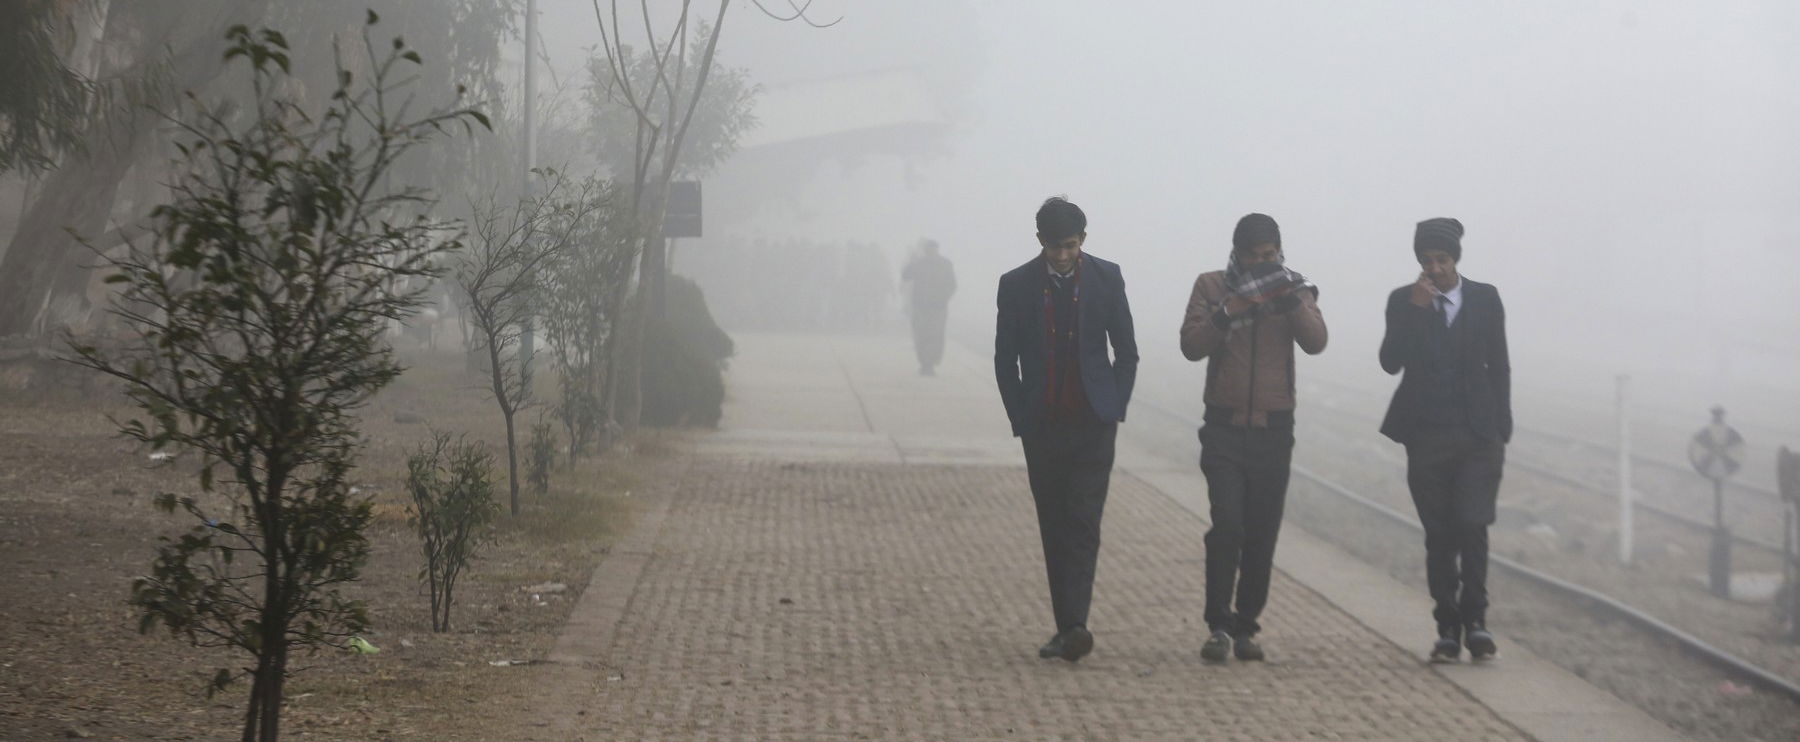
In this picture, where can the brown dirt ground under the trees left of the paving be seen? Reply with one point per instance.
(76, 525)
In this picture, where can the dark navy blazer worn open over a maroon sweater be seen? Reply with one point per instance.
(1020, 363)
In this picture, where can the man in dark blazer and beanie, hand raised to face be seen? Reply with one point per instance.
(1453, 413)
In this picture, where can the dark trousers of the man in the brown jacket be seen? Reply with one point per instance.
(1246, 482)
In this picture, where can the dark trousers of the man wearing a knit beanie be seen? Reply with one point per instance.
(1455, 482)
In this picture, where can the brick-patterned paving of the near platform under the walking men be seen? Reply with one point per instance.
(850, 601)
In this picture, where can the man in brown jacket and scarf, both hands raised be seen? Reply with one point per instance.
(1246, 321)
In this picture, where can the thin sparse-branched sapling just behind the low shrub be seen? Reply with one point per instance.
(501, 276)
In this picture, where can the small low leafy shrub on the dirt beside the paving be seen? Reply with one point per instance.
(453, 509)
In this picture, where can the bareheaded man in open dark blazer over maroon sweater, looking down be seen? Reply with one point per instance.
(1065, 399)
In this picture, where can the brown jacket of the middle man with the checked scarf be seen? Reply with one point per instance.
(1259, 357)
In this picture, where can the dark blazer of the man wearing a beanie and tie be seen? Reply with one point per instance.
(1486, 370)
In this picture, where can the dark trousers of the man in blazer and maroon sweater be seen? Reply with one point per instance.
(1070, 466)
